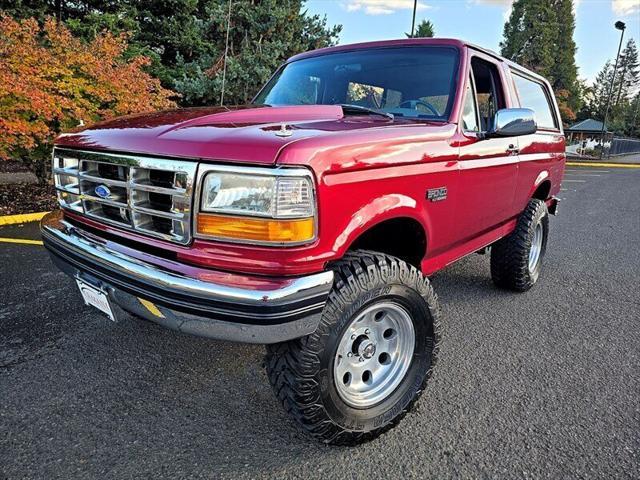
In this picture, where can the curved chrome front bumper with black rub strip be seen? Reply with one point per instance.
(193, 300)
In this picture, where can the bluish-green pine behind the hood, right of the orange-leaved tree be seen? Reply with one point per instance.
(262, 35)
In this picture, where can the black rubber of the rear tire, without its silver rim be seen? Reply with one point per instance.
(510, 255)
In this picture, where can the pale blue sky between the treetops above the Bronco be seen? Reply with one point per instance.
(481, 22)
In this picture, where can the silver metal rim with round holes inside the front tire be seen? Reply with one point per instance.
(374, 354)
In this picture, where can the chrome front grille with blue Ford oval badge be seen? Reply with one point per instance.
(152, 196)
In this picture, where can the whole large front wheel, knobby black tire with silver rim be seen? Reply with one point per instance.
(364, 367)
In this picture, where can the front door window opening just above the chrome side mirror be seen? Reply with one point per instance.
(489, 96)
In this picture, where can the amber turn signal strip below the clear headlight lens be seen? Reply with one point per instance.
(256, 229)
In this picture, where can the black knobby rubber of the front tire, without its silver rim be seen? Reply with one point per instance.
(301, 370)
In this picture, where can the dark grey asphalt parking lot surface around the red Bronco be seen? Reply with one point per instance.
(544, 384)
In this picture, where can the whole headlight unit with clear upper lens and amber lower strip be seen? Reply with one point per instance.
(266, 208)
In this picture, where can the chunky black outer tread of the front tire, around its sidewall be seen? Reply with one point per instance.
(292, 366)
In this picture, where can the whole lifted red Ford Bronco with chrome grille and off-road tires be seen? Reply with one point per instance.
(309, 220)
